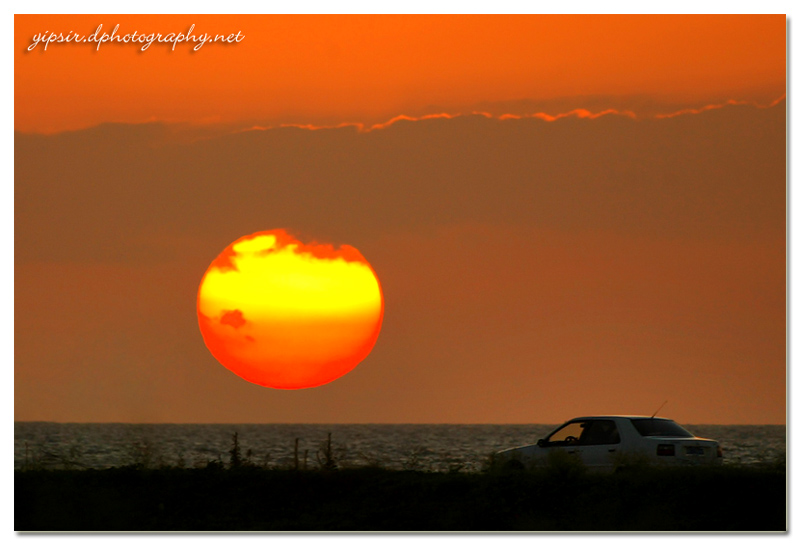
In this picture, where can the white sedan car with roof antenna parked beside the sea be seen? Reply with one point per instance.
(609, 442)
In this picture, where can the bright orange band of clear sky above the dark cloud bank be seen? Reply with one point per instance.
(371, 68)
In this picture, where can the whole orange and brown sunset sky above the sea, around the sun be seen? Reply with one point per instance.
(568, 215)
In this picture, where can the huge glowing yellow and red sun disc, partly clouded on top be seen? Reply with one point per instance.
(283, 314)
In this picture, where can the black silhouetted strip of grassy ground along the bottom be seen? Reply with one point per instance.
(247, 497)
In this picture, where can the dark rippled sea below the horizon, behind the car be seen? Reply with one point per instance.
(424, 447)
